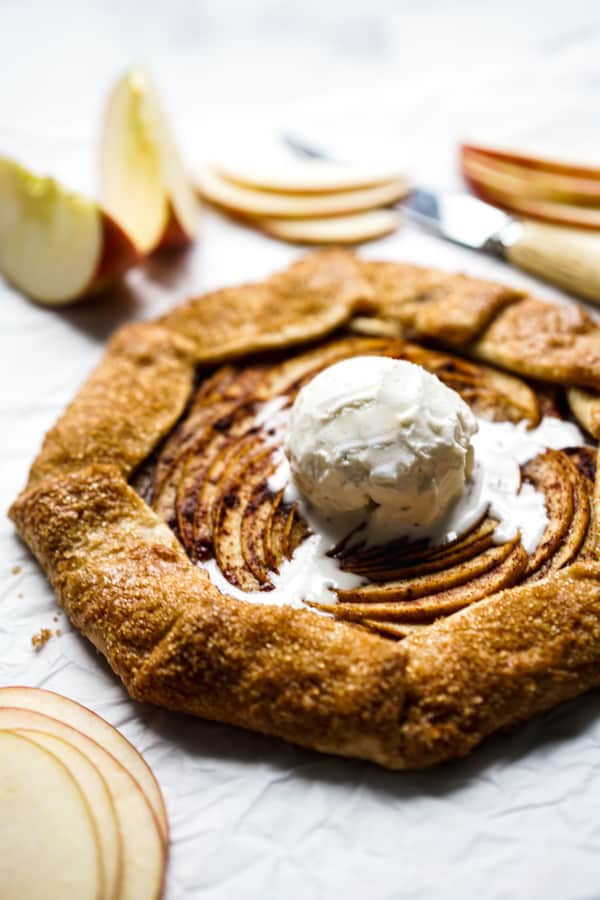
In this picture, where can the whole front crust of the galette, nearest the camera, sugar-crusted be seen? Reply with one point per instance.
(175, 640)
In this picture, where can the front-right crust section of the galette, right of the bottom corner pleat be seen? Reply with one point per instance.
(501, 661)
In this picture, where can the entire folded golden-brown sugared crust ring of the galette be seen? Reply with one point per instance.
(175, 640)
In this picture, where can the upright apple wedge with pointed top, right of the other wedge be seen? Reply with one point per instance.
(143, 183)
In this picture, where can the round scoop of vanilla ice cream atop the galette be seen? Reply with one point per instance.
(382, 435)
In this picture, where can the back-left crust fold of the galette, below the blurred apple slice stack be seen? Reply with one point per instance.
(310, 299)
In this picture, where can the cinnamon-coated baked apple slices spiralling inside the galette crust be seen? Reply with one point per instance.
(212, 481)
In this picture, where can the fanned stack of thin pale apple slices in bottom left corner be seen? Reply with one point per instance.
(81, 814)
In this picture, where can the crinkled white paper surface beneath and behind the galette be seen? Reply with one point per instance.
(251, 817)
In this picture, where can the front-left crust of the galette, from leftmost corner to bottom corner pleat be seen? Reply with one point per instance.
(174, 639)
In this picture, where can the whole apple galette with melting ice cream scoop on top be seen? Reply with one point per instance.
(354, 506)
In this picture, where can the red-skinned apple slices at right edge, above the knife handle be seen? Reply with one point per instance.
(534, 187)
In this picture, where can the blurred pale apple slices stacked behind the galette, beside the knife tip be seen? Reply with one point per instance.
(307, 201)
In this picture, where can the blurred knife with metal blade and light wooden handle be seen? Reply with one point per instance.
(566, 257)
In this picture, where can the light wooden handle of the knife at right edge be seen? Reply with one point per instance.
(568, 257)
